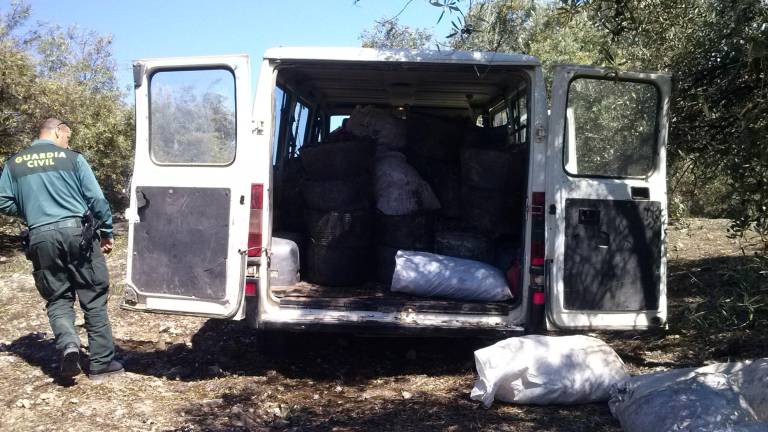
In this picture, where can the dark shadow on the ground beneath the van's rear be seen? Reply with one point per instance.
(234, 348)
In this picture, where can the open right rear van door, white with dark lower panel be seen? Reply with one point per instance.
(606, 199)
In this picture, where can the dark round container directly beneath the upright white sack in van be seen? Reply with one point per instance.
(415, 232)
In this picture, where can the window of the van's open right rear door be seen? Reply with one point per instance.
(611, 128)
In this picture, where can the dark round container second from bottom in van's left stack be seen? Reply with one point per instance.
(340, 229)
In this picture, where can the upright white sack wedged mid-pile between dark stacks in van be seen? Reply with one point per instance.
(399, 188)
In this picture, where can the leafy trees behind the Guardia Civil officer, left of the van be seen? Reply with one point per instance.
(70, 74)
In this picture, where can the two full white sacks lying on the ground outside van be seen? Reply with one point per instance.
(545, 370)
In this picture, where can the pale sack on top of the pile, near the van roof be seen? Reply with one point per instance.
(379, 124)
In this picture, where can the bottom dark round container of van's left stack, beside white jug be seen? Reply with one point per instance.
(337, 266)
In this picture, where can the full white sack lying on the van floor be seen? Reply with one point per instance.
(432, 275)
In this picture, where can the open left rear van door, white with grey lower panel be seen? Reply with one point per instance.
(189, 205)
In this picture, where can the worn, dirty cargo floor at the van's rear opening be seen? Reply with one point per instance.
(377, 297)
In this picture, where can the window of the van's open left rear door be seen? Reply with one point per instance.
(192, 117)
